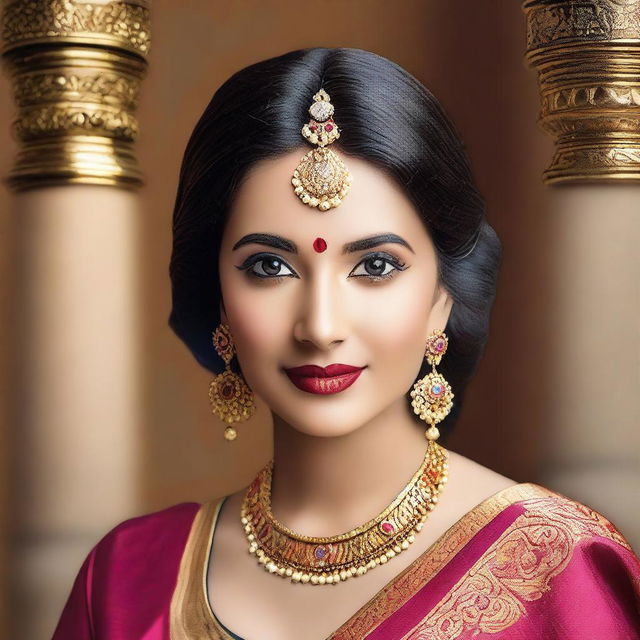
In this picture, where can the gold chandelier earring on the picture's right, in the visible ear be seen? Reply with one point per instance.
(431, 396)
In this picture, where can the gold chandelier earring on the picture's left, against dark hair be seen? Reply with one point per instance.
(230, 396)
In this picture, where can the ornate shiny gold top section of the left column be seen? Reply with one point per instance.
(76, 70)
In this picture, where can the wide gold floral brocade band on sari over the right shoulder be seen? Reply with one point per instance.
(517, 568)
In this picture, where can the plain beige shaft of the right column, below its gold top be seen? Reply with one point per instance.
(593, 443)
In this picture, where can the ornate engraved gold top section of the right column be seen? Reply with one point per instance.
(587, 55)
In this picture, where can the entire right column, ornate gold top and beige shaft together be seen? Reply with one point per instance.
(587, 55)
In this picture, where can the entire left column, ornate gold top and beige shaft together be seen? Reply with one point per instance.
(76, 69)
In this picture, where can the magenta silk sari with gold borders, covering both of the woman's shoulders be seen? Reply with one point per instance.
(524, 564)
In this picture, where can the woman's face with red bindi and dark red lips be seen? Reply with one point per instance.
(315, 288)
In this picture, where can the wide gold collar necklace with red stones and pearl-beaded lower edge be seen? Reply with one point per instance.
(329, 560)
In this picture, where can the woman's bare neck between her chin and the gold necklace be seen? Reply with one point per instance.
(325, 486)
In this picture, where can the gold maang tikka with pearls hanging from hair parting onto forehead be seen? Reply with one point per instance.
(321, 179)
